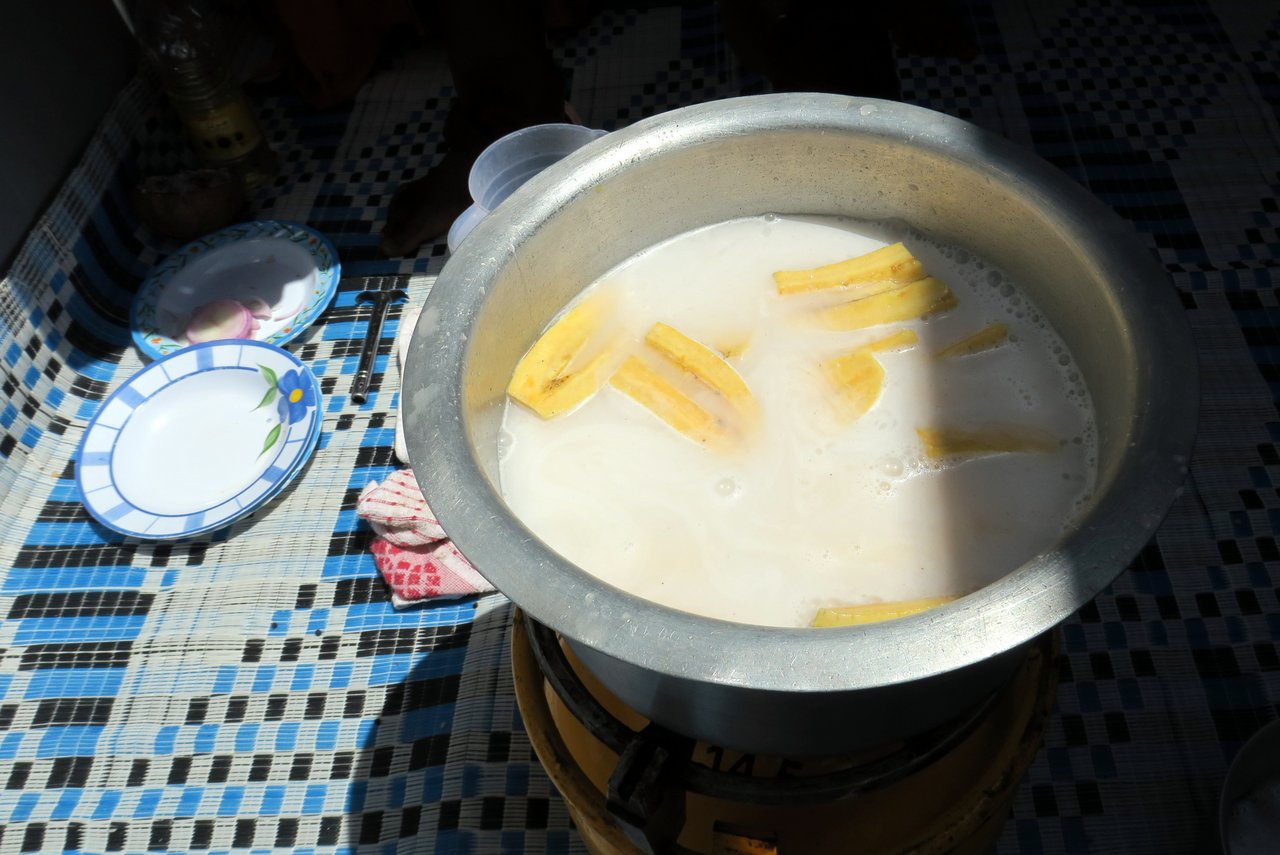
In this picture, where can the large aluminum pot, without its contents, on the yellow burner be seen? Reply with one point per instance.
(799, 692)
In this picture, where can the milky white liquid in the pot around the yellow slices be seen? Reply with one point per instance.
(817, 513)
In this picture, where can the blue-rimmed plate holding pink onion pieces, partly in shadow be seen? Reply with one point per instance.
(292, 269)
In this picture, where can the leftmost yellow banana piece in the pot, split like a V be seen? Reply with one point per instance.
(543, 381)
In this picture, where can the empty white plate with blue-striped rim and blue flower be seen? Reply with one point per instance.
(198, 440)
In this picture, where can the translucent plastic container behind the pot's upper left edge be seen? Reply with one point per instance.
(513, 161)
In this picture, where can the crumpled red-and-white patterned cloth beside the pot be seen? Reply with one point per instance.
(412, 551)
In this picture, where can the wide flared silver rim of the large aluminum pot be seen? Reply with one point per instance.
(993, 620)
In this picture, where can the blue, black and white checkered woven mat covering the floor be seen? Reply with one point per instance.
(255, 691)
